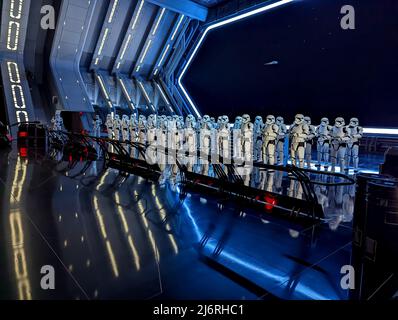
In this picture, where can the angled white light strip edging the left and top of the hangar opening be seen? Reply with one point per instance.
(215, 26)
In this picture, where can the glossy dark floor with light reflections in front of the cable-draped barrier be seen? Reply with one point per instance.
(114, 237)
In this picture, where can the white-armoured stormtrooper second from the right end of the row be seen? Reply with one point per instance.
(340, 138)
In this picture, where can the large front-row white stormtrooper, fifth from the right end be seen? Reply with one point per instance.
(298, 135)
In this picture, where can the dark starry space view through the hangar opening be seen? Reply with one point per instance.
(299, 59)
